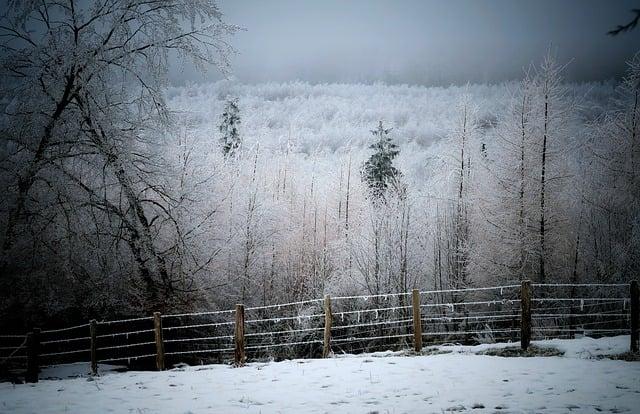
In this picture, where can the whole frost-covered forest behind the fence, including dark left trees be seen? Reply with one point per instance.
(123, 194)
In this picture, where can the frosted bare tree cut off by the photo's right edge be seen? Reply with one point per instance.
(615, 201)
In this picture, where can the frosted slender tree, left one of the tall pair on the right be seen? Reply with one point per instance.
(509, 250)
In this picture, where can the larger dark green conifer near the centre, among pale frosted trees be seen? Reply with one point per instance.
(378, 171)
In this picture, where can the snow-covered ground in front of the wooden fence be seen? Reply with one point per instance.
(459, 380)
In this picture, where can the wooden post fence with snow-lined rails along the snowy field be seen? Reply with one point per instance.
(319, 327)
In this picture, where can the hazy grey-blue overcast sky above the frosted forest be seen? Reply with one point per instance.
(430, 42)
